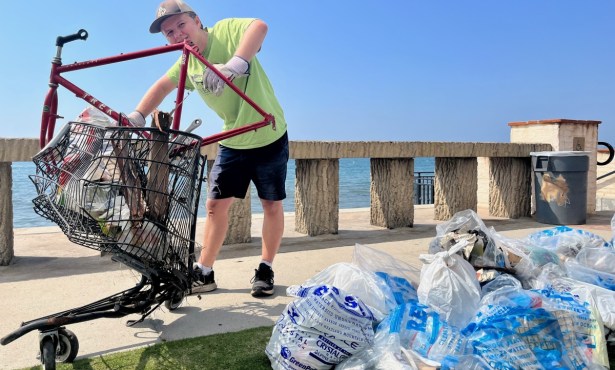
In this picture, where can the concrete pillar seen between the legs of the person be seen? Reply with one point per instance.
(240, 217)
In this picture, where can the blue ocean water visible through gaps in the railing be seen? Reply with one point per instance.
(353, 193)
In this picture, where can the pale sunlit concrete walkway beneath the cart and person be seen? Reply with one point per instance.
(50, 274)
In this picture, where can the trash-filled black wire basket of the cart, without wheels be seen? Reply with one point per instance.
(114, 190)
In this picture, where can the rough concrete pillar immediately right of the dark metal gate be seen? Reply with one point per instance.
(455, 186)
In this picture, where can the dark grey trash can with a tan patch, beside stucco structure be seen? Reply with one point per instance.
(560, 187)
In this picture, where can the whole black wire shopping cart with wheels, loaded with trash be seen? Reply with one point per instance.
(129, 192)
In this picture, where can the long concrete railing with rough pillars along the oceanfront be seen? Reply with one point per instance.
(392, 175)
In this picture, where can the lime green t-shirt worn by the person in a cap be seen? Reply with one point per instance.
(222, 42)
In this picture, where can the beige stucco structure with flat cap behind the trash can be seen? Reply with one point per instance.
(563, 135)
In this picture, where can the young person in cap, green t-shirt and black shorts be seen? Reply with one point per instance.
(260, 156)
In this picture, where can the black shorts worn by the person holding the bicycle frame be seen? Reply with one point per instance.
(266, 167)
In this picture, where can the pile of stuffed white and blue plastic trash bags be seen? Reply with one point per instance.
(479, 301)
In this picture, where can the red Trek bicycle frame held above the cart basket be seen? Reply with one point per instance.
(50, 106)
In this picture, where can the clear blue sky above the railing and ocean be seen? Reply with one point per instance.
(430, 70)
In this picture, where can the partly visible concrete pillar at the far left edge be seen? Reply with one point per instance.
(6, 214)
